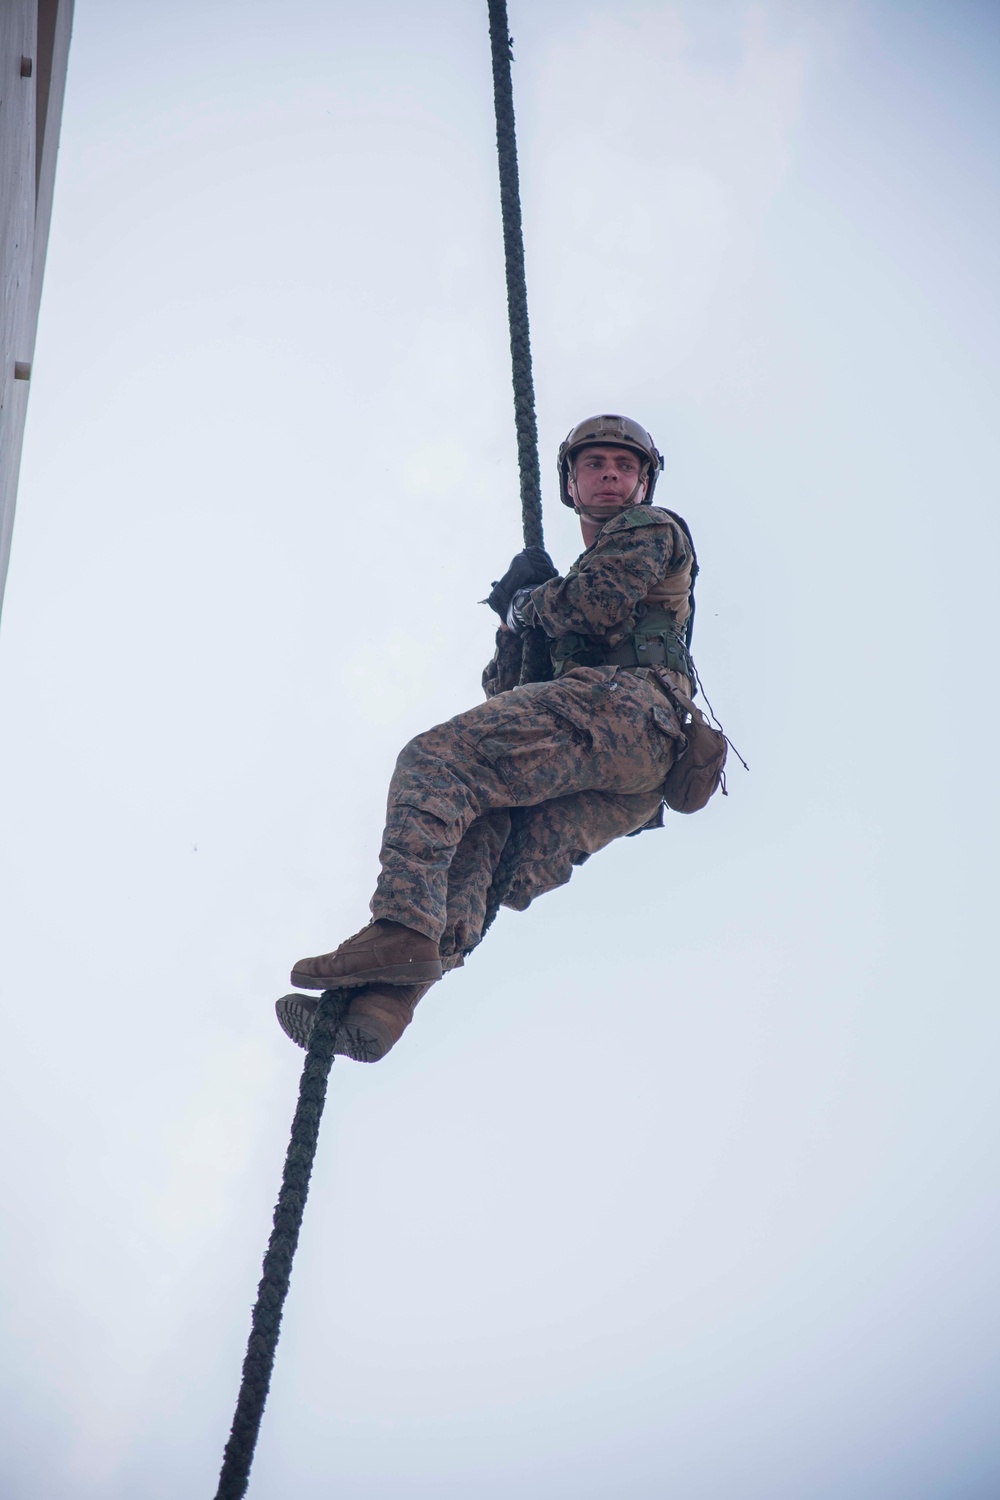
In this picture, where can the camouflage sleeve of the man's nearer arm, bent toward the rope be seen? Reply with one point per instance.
(627, 560)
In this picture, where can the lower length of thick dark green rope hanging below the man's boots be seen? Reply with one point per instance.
(266, 1321)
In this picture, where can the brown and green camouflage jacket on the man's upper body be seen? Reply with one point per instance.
(641, 562)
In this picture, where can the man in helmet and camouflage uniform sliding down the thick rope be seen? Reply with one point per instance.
(500, 805)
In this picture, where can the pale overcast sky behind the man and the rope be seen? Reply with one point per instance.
(686, 1187)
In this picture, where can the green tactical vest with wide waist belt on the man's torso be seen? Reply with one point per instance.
(659, 632)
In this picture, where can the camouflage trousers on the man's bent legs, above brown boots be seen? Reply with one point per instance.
(582, 760)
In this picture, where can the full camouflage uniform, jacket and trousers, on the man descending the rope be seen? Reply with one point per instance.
(569, 764)
